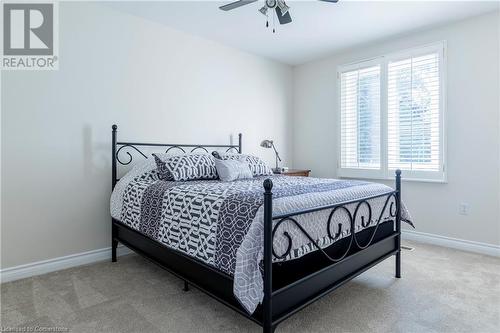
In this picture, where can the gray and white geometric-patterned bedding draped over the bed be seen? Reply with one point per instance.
(221, 223)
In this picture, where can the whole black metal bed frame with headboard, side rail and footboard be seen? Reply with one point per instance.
(325, 269)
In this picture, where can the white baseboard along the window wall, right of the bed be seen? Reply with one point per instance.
(455, 243)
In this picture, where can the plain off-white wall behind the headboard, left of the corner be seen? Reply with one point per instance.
(157, 84)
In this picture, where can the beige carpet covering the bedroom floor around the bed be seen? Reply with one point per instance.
(442, 290)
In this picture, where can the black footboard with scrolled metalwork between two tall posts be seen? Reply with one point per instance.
(358, 256)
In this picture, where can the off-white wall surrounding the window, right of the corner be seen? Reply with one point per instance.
(472, 127)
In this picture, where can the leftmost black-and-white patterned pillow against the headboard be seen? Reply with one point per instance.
(185, 167)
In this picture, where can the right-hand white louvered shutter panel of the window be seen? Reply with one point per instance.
(413, 138)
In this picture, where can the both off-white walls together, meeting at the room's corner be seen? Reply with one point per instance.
(159, 84)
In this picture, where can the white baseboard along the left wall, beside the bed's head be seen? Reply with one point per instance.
(51, 265)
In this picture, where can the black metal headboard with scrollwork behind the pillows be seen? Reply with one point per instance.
(124, 148)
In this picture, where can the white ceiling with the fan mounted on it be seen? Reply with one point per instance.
(318, 28)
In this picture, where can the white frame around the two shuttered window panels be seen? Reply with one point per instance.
(383, 61)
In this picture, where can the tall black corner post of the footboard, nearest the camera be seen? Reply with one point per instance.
(268, 257)
